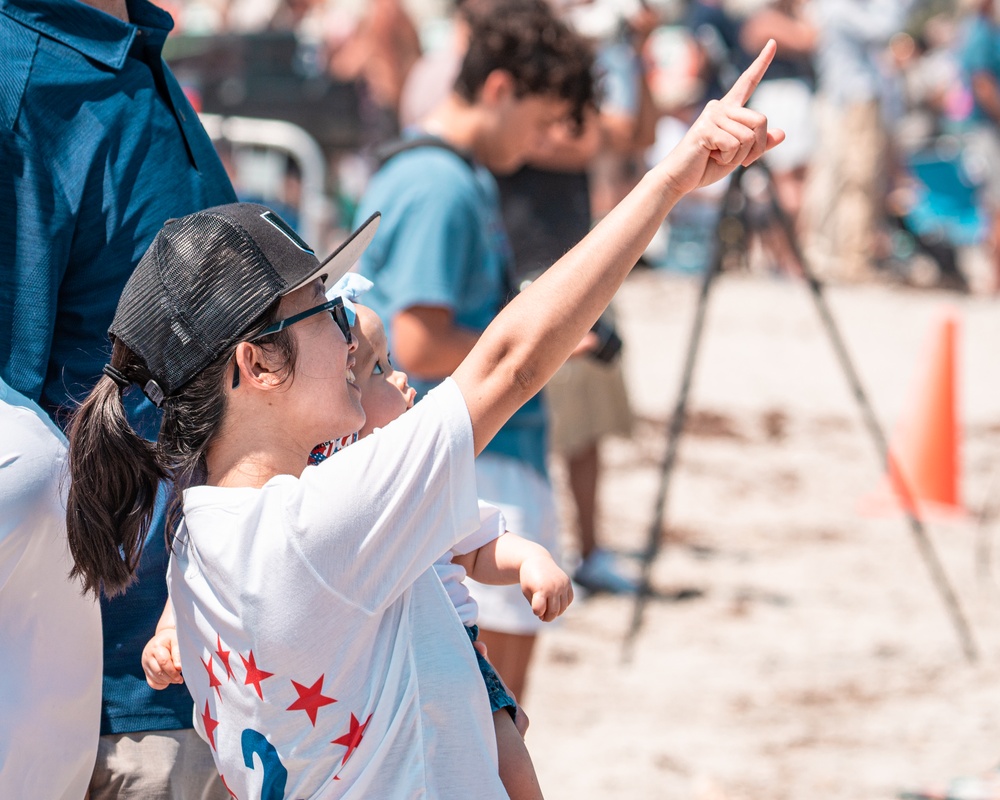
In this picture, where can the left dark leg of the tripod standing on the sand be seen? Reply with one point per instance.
(732, 206)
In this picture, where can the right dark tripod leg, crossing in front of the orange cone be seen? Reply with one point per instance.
(923, 542)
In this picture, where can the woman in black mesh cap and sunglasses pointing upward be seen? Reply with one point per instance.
(331, 661)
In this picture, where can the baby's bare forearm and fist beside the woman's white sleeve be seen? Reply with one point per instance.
(510, 559)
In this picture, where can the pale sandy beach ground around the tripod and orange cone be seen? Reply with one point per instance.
(797, 647)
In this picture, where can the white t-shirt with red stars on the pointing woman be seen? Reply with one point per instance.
(322, 651)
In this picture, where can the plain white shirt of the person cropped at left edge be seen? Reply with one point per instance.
(50, 635)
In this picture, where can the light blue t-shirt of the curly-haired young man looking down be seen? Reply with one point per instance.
(441, 243)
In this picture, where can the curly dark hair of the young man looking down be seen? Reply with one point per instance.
(526, 39)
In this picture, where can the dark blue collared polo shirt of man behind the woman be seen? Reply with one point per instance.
(98, 148)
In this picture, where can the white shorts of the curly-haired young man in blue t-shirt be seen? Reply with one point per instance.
(527, 503)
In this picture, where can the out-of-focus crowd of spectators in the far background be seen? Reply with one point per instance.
(890, 107)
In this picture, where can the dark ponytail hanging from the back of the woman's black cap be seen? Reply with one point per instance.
(114, 477)
